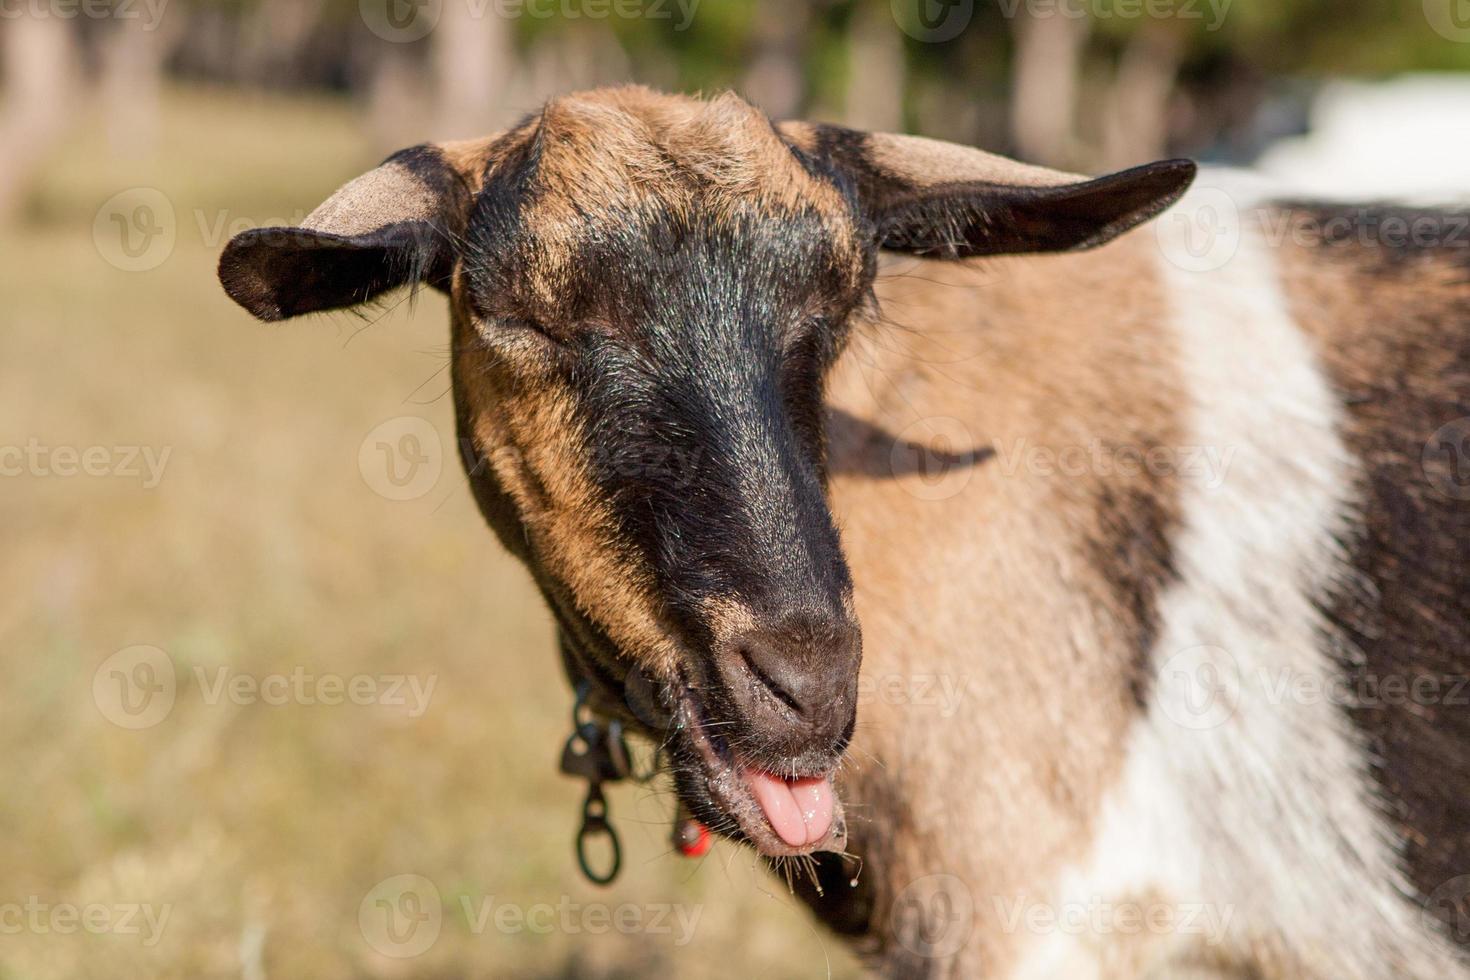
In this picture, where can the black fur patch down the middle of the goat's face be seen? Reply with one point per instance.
(696, 352)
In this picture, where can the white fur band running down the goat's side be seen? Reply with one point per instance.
(1244, 797)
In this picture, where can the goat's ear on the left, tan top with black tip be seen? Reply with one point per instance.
(392, 227)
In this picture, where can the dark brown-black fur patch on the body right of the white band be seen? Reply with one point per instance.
(1406, 622)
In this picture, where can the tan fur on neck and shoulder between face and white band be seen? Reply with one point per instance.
(1000, 349)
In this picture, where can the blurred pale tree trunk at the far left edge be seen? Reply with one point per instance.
(40, 77)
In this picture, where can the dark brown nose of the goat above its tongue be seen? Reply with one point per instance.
(803, 674)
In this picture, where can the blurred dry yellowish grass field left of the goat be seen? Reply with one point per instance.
(264, 550)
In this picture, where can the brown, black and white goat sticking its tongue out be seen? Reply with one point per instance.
(936, 418)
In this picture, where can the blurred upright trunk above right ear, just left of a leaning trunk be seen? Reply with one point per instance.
(1044, 86)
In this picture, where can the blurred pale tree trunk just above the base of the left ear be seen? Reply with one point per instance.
(474, 67)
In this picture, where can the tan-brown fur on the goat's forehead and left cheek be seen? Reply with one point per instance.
(612, 152)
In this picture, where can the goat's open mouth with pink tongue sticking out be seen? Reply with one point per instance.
(780, 816)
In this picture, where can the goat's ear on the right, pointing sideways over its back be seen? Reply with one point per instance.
(952, 202)
